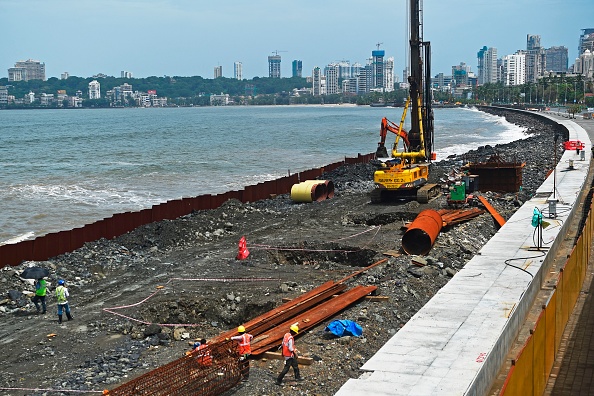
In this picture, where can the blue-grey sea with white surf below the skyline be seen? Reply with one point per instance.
(61, 169)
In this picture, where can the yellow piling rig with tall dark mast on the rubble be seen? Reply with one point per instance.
(404, 175)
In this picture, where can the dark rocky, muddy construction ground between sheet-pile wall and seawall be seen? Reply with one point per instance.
(299, 246)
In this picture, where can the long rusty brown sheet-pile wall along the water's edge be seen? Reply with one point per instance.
(54, 244)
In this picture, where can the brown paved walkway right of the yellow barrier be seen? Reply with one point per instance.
(573, 372)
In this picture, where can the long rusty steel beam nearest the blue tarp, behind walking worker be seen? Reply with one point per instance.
(311, 318)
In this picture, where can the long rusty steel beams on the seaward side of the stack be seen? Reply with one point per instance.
(277, 315)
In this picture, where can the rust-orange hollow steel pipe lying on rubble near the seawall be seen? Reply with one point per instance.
(422, 232)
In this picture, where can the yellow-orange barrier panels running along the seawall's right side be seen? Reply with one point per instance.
(530, 371)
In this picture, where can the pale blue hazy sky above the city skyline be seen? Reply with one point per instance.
(191, 37)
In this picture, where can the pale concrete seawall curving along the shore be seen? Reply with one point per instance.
(457, 343)
